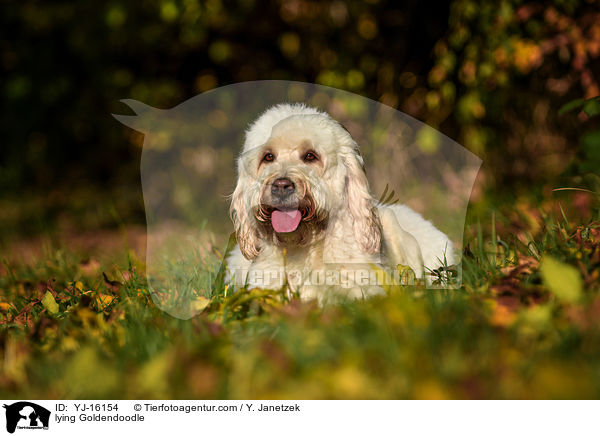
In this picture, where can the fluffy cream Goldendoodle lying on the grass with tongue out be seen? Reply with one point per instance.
(304, 216)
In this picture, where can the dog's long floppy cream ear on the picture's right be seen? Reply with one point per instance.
(367, 227)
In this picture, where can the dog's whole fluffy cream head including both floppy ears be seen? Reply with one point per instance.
(299, 171)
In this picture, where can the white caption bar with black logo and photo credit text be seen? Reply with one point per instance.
(27, 417)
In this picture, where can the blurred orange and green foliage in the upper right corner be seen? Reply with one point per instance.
(501, 73)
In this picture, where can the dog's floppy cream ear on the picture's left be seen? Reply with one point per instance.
(245, 232)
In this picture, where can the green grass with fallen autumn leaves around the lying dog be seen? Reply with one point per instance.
(523, 325)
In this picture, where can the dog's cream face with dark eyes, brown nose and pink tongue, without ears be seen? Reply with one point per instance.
(294, 171)
